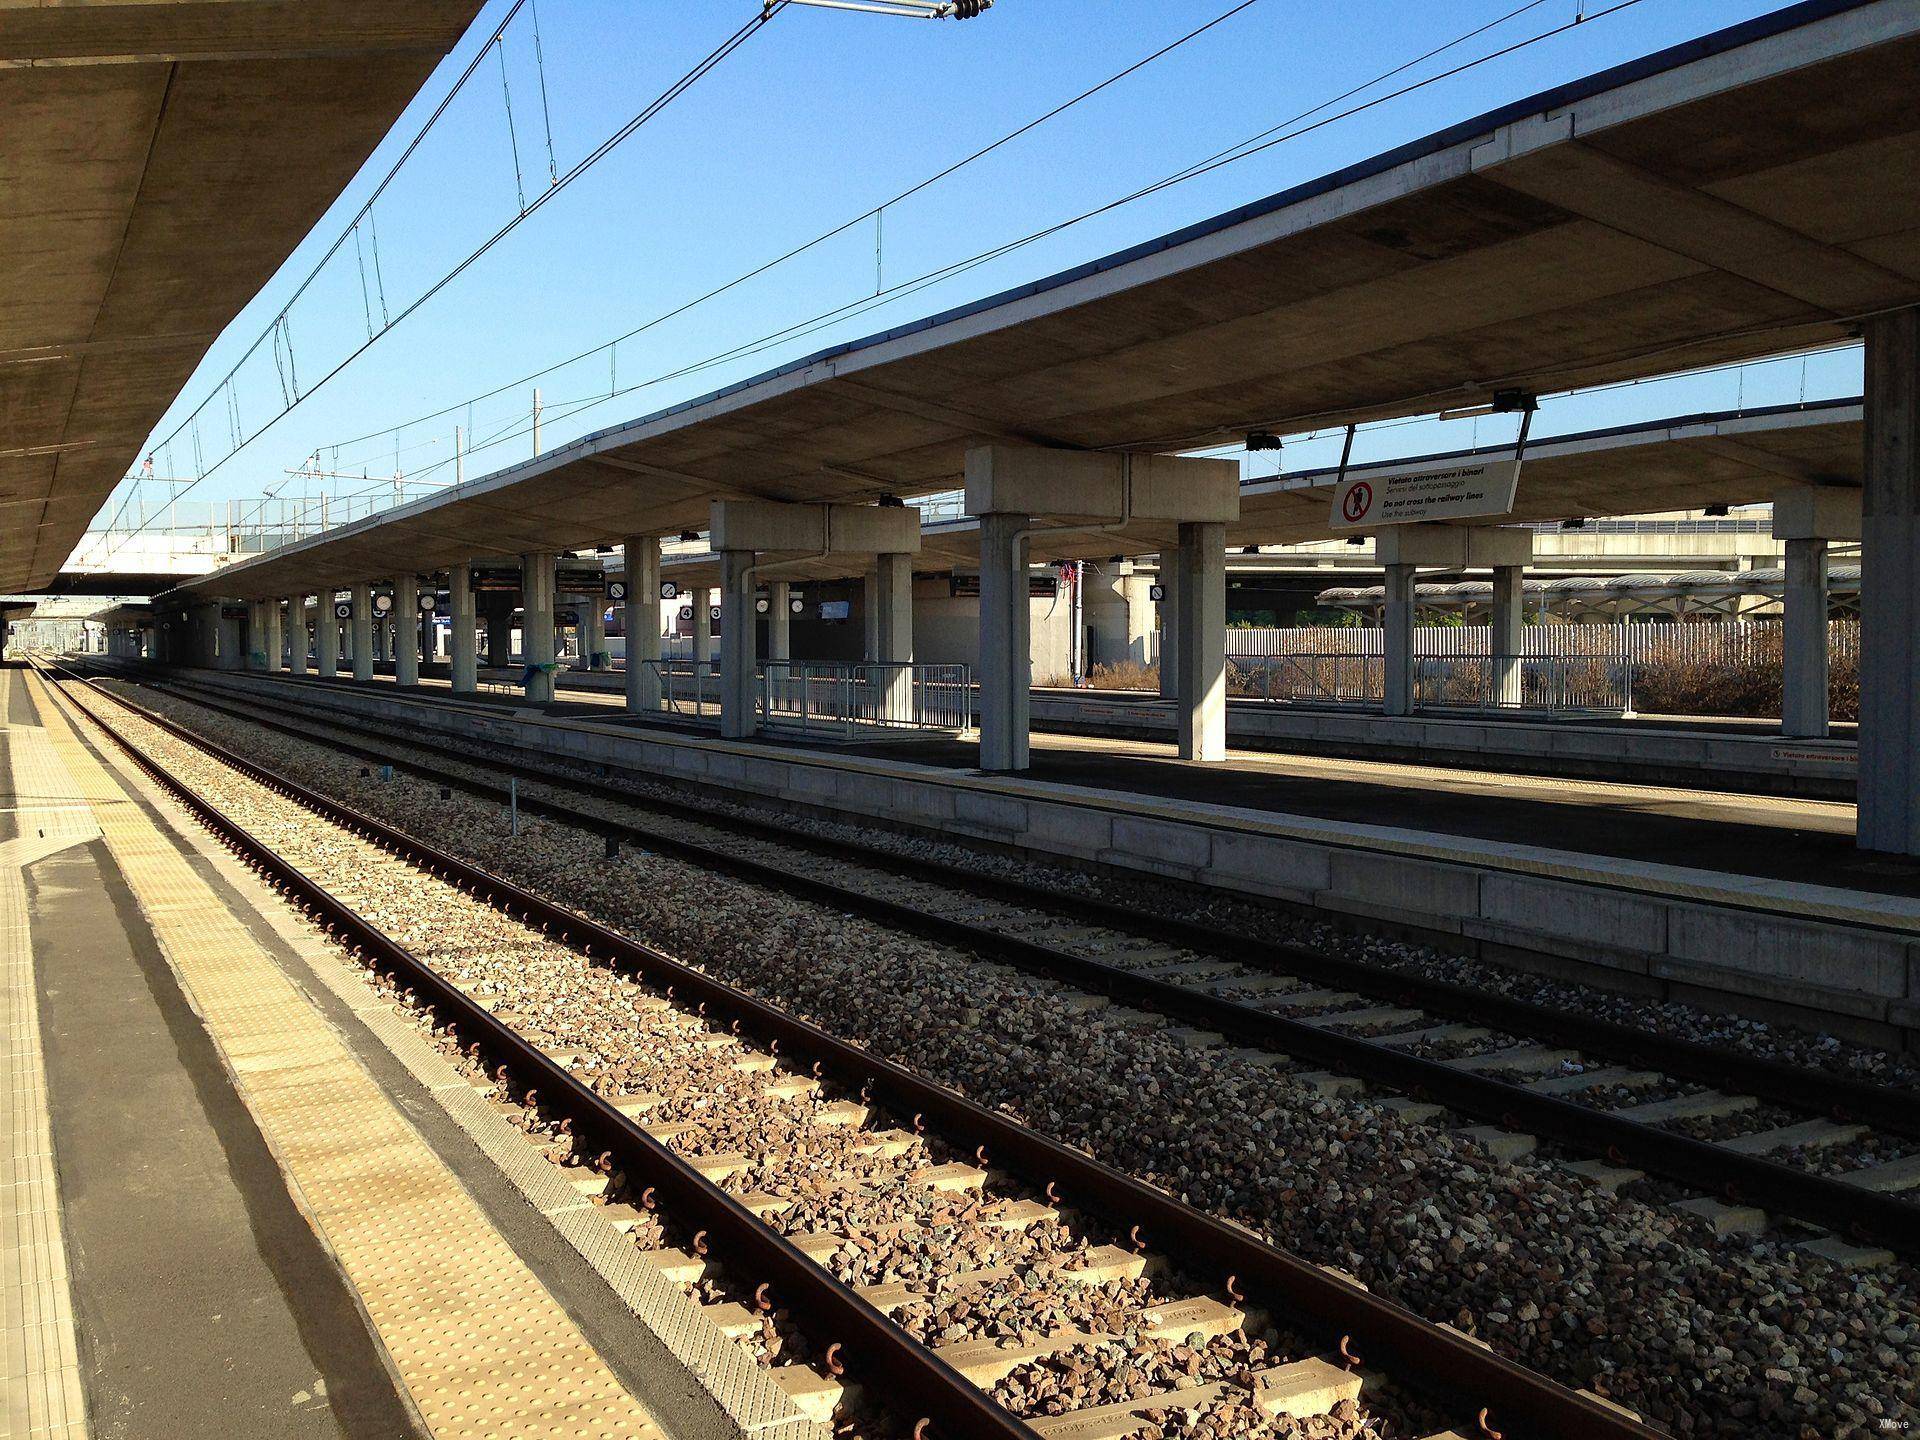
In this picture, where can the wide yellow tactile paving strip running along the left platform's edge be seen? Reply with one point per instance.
(481, 1345)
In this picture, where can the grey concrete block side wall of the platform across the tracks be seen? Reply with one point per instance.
(1821, 957)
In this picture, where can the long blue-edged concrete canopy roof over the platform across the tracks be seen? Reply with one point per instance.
(1742, 195)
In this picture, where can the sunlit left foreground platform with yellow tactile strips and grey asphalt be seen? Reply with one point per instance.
(233, 1205)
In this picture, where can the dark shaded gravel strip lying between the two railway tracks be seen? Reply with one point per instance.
(1704, 1337)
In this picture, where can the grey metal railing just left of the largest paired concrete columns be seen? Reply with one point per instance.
(842, 698)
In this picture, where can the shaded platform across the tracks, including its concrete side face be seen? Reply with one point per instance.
(1742, 901)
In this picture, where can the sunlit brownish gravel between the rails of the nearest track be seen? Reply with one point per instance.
(706, 1105)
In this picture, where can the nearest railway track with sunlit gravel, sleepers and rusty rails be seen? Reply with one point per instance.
(971, 1274)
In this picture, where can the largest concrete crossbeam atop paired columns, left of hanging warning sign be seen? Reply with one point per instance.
(1070, 485)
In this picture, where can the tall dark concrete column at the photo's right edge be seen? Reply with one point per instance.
(1890, 588)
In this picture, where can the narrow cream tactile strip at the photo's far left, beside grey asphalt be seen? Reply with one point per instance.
(41, 1395)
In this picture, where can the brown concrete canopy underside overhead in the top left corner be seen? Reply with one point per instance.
(160, 158)
